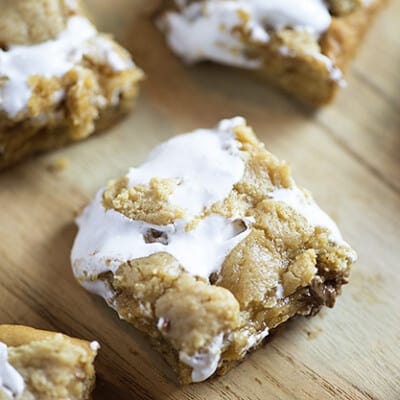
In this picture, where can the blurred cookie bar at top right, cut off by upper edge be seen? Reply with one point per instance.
(301, 46)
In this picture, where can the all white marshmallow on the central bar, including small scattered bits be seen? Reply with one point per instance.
(206, 163)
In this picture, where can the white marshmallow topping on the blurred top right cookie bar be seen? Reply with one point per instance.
(209, 30)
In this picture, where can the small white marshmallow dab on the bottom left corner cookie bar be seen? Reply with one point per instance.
(11, 382)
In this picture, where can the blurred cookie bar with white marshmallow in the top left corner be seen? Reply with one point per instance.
(60, 79)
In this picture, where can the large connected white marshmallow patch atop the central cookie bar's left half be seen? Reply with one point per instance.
(207, 164)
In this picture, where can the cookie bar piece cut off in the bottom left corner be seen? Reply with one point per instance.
(43, 365)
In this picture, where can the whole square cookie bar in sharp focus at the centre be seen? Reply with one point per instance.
(207, 246)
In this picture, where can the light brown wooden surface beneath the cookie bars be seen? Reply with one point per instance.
(347, 154)
